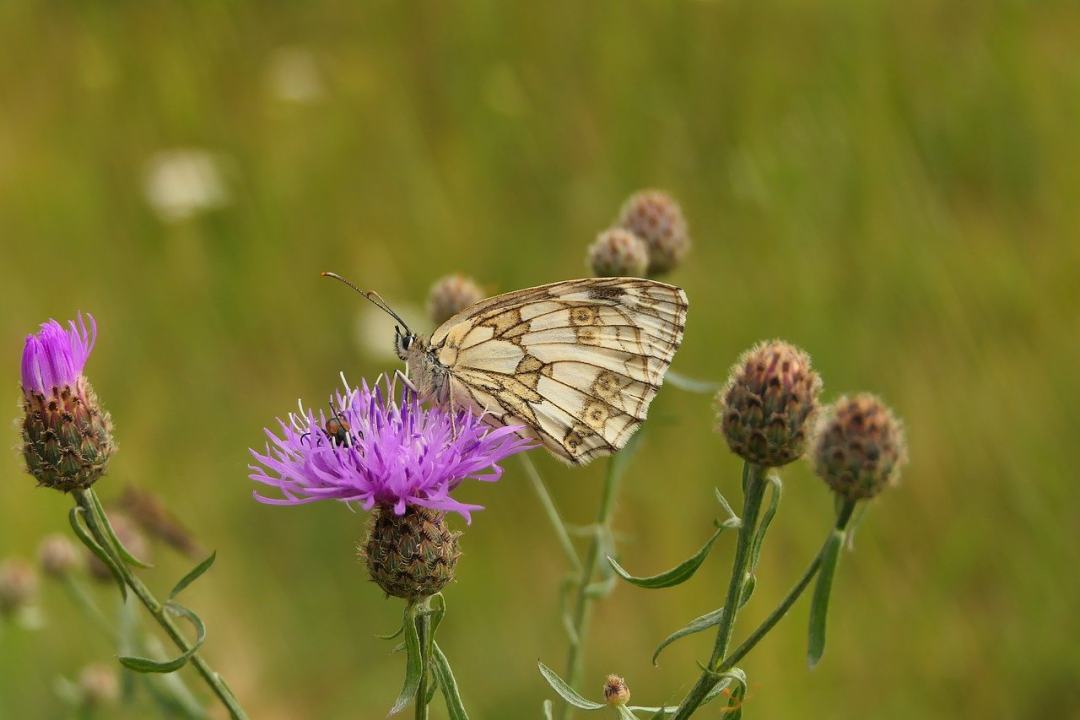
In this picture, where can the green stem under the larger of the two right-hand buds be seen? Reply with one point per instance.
(754, 485)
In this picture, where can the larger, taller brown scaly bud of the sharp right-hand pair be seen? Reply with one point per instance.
(765, 410)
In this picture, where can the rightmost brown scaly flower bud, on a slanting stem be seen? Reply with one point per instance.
(859, 447)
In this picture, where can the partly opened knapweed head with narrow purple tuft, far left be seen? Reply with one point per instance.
(67, 438)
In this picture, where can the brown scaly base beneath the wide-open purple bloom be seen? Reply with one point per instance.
(411, 556)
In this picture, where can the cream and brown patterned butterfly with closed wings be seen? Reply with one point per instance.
(576, 364)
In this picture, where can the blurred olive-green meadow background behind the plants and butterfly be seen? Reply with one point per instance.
(892, 186)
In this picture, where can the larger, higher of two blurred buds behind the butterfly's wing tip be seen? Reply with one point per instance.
(655, 218)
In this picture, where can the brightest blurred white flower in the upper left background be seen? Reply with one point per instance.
(184, 183)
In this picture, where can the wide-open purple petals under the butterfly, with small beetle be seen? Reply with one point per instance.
(382, 452)
